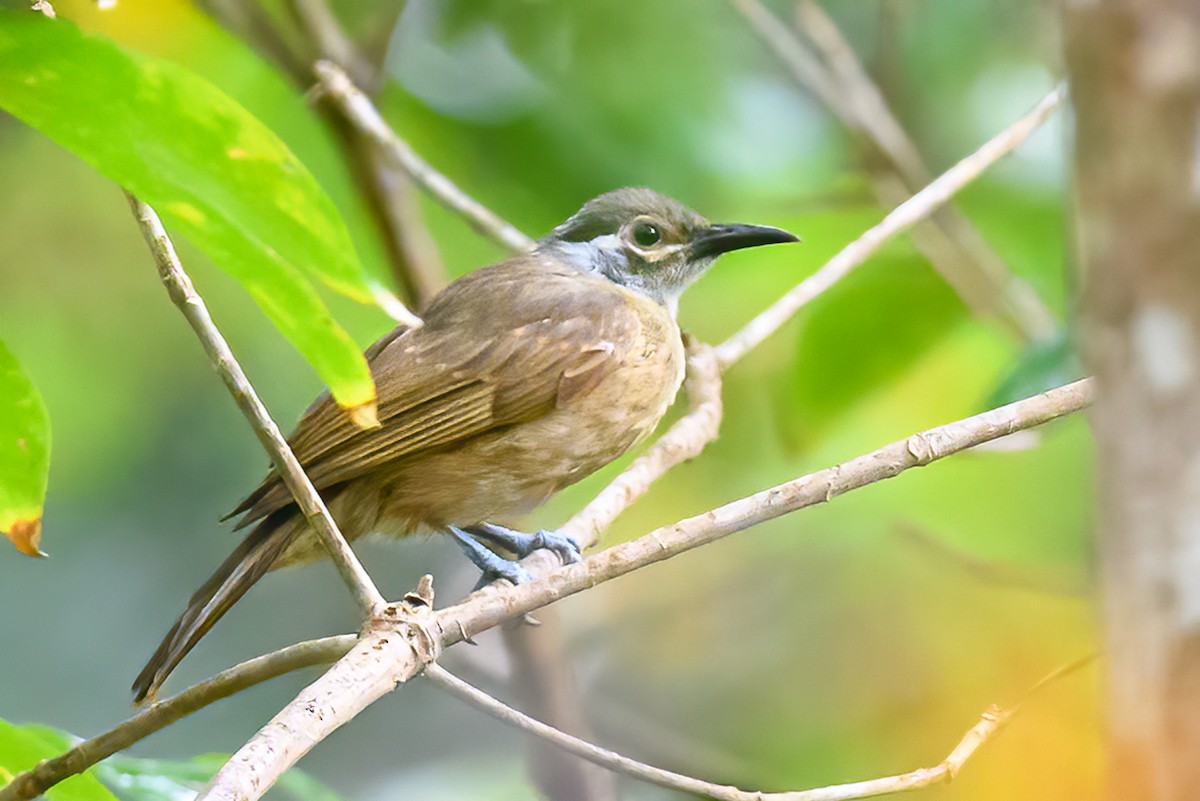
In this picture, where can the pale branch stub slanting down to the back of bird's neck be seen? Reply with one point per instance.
(335, 85)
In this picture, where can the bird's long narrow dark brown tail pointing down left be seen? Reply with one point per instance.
(248, 564)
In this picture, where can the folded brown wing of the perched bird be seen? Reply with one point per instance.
(453, 381)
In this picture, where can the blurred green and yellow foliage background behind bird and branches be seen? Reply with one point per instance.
(843, 643)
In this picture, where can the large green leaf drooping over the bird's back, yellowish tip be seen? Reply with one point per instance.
(211, 168)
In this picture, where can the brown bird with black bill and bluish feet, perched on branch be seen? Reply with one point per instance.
(526, 377)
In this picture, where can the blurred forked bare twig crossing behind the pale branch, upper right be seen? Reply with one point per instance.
(836, 76)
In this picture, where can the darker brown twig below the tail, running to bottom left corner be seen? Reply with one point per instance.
(163, 714)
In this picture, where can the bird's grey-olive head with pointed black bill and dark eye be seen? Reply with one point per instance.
(649, 243)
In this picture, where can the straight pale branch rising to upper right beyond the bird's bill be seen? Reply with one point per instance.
(903, 218)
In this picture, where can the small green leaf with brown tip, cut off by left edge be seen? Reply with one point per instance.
(25, 456)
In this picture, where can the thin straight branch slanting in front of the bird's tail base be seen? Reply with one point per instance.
(179, 287)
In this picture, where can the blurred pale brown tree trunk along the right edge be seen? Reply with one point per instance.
(1136, 83)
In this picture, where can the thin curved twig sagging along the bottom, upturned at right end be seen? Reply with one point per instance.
(988, 726)
